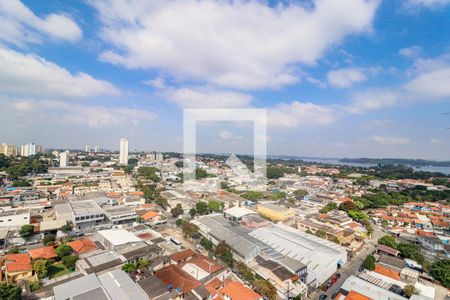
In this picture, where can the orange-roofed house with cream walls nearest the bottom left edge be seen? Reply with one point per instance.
(18, 267)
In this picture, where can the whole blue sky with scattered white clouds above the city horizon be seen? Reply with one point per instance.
(354, 78)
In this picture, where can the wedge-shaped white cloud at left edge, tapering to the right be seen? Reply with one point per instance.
(31, 75)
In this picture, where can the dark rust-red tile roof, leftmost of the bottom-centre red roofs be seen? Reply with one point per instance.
(173, 275)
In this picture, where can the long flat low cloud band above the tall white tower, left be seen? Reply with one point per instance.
(94, 116)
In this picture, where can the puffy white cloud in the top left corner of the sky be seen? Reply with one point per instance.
(20, 25)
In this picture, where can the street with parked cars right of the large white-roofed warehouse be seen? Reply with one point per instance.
(352, 266)
